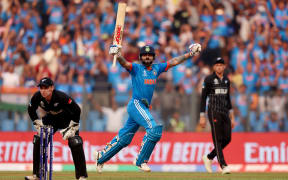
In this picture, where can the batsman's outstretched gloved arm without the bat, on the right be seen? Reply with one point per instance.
(194, 49)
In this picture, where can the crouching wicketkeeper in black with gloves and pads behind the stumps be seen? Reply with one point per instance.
(62, 113)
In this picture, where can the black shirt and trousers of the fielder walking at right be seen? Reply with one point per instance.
(218, 92)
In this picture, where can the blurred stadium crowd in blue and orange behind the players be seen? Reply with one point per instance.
(68, 40)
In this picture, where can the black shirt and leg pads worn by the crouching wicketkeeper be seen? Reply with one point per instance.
(59, 112)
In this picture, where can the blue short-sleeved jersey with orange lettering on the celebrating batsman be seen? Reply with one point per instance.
(144, 80)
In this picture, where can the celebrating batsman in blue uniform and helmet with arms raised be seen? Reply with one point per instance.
(144, 79)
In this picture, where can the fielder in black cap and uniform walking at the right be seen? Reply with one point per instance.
(220, 114)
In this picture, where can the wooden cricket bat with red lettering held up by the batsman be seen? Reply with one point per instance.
(118, 32)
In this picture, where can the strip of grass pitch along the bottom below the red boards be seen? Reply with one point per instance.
(8, 175)
